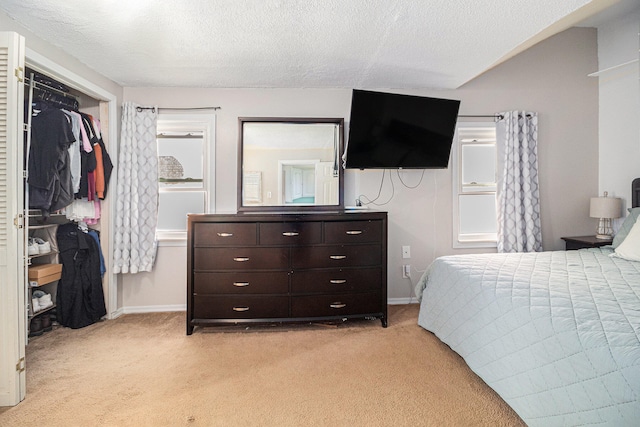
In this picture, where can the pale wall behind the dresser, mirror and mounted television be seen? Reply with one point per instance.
(550, 78)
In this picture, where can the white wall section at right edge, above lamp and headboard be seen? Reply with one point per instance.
(619, 106)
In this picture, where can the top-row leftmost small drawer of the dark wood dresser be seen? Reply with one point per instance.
(225, 234)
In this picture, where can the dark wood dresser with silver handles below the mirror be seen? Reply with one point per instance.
(286, 267)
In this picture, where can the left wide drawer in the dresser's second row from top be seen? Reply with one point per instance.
(248, 258)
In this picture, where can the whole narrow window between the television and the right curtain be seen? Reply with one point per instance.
(474, 187)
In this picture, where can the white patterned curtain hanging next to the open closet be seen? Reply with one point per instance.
(137, 191)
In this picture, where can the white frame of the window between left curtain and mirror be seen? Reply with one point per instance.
(191, 122)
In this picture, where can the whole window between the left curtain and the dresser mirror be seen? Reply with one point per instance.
(184, 172)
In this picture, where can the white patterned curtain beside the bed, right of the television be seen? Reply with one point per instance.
(518, 195)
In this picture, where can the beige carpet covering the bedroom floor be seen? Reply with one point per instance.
(143, 370)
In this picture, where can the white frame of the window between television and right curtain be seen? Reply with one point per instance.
(479, 240)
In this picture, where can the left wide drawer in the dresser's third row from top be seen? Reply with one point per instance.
(248, 282)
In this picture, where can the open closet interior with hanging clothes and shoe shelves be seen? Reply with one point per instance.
(67, 176)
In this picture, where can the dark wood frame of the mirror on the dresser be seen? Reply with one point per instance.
(293, 120)
